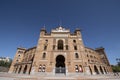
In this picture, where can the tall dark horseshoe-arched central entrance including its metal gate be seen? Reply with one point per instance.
(60, 64)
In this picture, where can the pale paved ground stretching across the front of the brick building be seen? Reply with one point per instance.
(6, 76)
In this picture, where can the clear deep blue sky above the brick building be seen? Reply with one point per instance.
(21, 21)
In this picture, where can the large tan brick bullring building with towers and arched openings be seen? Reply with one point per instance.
(60, 52)
